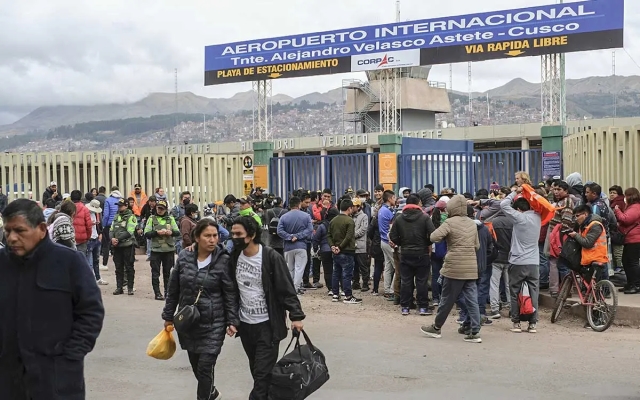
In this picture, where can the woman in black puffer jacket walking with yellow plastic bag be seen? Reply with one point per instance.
(207, 266)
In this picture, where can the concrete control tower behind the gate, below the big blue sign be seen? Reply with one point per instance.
(409, 95)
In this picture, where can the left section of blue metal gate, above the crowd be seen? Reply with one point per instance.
(337, 172)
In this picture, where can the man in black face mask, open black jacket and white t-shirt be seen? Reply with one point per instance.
(266, 292)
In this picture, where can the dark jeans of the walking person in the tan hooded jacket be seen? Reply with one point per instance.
(451, 290)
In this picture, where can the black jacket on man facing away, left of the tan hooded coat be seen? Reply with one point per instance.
(412, 230)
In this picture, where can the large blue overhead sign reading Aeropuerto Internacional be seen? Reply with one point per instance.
(580, 26)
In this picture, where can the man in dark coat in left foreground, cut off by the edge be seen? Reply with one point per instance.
(50, 307)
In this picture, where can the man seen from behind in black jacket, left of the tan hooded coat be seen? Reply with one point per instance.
(411, 231)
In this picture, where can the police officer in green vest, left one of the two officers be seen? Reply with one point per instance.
(123, 231)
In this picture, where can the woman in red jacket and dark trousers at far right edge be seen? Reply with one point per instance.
(629, 225)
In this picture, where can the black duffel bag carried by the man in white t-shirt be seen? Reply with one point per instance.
(299, 373)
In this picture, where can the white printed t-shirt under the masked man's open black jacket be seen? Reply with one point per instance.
(253, 303)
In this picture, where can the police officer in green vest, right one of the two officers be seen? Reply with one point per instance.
(162, 230)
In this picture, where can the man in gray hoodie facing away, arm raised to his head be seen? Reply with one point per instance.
(524, 258)
